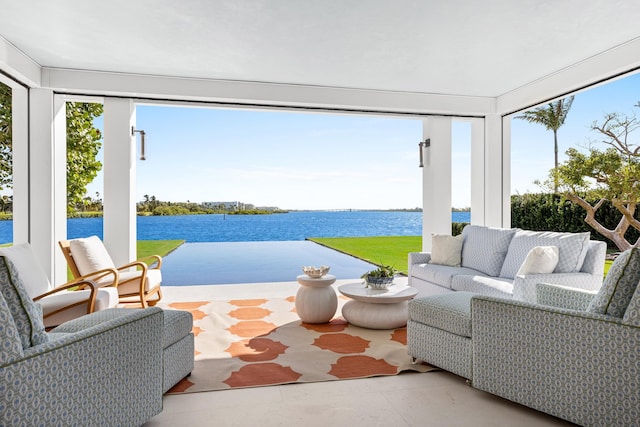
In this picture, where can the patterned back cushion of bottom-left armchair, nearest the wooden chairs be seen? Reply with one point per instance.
(26, 314)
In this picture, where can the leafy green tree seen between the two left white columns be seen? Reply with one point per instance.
(83, 145)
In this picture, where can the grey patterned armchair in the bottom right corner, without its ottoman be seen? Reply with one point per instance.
(574, 354)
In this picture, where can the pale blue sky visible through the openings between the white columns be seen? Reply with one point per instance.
(333, 161)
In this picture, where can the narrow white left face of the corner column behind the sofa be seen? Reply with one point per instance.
(477, 172)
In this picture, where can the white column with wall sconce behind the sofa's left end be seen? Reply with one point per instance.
(436, 178)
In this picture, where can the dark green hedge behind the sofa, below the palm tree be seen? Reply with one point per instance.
(552, 212)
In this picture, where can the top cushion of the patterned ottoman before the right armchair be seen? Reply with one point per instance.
(450, 312)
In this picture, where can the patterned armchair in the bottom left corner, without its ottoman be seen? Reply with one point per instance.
(107, 374)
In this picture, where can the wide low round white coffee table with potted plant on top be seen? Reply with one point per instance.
(377, 308)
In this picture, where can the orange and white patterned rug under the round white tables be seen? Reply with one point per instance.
(259, 342)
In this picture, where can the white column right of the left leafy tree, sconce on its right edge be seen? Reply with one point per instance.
(119, 180)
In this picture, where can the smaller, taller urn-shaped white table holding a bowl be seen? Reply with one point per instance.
(316, 301)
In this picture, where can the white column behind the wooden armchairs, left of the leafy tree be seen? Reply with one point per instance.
(47, 181)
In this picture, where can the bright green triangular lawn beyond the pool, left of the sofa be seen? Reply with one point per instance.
(387, 250)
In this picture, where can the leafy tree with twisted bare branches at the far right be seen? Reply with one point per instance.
(612, 174)
